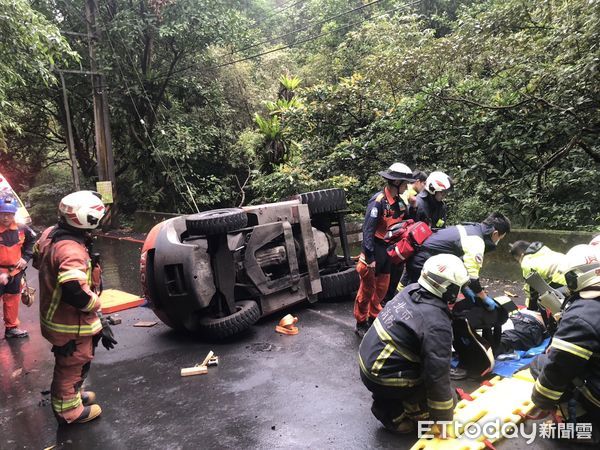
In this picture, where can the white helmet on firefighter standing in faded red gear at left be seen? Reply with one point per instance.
(82, 209)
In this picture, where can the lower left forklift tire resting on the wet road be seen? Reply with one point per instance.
(247, 314)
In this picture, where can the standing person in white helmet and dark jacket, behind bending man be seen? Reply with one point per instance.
(430, 201)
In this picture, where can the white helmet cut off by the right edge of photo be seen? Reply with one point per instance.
(582, 268)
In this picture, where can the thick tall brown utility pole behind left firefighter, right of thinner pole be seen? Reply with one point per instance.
(106, 167)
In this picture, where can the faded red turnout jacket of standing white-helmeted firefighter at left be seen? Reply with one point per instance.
(68, 286)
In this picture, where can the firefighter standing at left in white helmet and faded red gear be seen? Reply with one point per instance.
(70, 284)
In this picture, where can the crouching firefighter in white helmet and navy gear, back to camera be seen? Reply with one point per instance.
(405, 356)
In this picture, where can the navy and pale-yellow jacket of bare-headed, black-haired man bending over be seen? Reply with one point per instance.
(468, 242)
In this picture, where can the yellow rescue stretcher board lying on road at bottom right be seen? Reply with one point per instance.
(496, 402)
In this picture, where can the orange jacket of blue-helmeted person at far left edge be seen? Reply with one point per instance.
(16, 242)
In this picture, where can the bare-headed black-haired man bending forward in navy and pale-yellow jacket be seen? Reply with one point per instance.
(469, 242)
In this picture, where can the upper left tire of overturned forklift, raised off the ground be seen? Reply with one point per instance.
(216, 221)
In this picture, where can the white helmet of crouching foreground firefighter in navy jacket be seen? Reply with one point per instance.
(444, 275)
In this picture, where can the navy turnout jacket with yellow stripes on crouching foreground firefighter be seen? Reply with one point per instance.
(409, 344)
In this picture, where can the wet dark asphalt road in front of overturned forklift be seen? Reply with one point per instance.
(269, 390)
